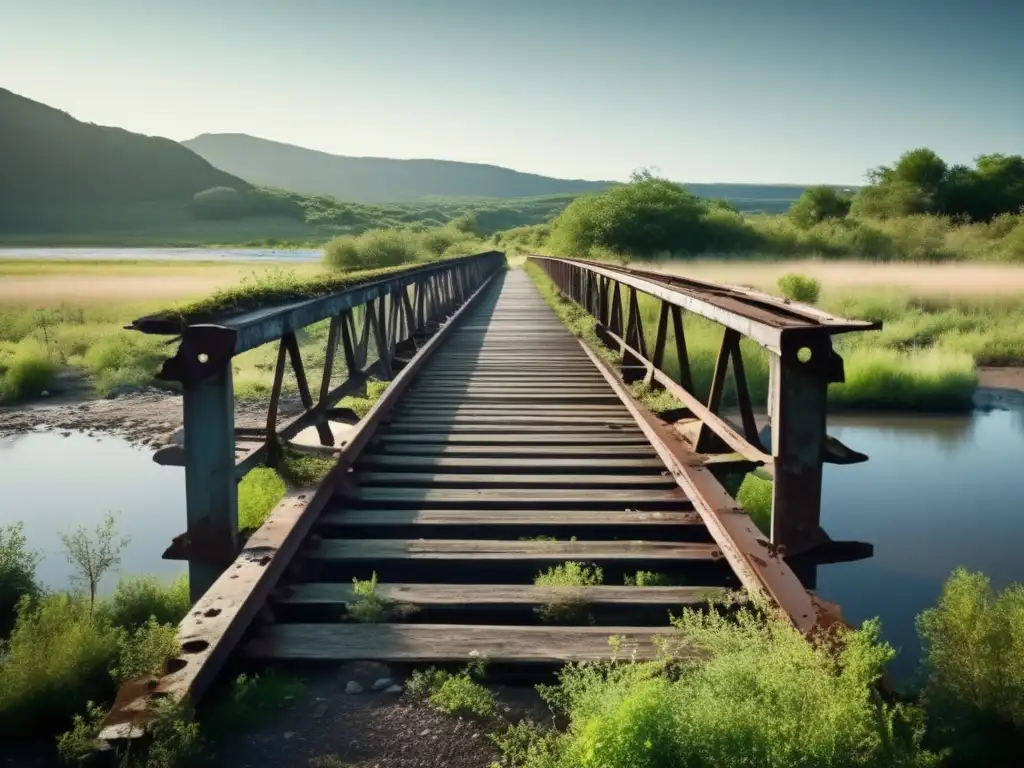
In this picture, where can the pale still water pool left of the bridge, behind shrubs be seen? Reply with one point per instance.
(52, 484)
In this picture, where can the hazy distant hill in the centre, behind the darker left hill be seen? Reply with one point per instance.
(371, 180)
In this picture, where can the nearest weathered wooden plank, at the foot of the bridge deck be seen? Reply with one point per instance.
(425, 644)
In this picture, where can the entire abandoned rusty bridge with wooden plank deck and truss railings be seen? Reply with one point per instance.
(503, 446)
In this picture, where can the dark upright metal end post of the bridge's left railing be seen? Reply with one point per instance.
(211, 493)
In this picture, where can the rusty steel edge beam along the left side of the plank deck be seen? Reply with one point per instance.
(219, 621)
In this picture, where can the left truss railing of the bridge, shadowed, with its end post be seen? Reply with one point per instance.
(375, 328)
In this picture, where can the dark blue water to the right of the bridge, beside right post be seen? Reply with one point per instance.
(937, 494)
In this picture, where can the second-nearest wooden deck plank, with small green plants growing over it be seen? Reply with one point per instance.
(430, 595)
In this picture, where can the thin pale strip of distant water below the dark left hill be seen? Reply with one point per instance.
(159, 254)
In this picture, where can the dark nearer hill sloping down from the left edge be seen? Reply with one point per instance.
(50, 159)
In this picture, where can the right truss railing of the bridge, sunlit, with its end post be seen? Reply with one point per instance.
(802, 365)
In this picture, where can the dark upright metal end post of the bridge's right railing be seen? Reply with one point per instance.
(798, 393)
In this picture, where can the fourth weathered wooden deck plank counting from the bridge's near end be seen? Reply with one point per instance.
(486, 518)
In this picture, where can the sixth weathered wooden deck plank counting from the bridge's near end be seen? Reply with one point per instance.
(408, 480)
